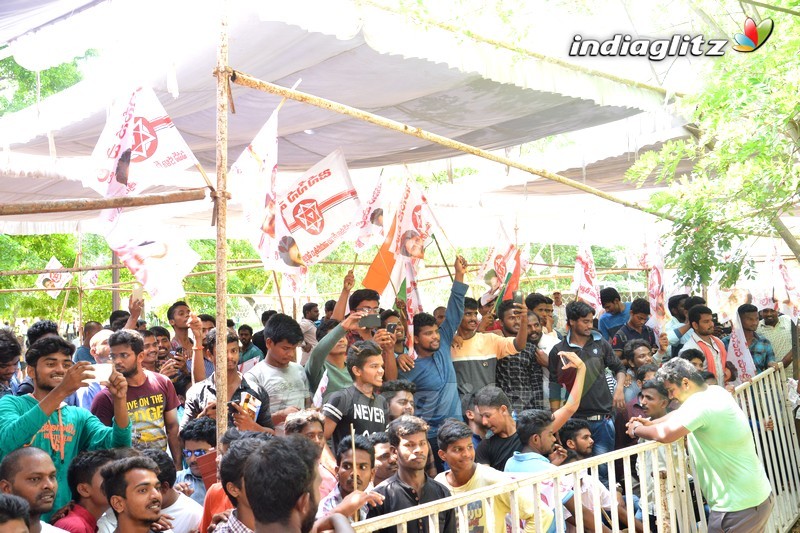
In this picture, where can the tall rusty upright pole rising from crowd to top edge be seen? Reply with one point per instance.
(221, 217)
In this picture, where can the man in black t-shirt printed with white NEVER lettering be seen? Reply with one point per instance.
(358, 404)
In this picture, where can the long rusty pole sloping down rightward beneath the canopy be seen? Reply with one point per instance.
(246, 80)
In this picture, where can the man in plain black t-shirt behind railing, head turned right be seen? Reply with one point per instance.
(494, 410)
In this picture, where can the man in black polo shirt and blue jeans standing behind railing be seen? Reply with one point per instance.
(597, 401)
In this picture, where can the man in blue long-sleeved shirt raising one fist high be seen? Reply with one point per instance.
(433, 373)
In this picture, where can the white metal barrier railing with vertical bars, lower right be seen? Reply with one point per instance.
(678, 504)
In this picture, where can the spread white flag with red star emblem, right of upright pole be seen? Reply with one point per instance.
(316, 213)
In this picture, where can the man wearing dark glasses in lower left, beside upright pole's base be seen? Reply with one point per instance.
(199, 437)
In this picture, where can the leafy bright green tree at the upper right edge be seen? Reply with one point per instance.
(745, 173)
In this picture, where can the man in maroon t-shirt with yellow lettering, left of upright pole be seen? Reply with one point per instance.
(152, 402)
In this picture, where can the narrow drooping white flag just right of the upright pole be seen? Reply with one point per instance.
(253, 177)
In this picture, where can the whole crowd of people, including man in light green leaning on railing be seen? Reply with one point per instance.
(331, 419)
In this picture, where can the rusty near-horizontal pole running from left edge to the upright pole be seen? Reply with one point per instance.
(92, 204)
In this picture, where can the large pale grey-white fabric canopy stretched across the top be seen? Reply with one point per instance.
(454, 94)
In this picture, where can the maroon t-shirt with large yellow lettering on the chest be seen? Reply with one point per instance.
(147, 404)
